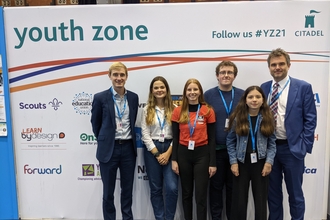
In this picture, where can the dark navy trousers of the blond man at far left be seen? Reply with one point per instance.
(124, 158)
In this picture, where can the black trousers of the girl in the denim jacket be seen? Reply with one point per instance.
(250, 172)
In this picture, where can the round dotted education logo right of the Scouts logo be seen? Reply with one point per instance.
(82, 103)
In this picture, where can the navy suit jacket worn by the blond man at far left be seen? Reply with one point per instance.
(104, 123)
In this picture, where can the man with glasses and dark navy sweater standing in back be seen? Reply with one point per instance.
(223, 98)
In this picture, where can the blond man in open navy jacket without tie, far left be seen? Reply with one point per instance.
(113, 119)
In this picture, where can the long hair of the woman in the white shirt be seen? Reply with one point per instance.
(168, 104)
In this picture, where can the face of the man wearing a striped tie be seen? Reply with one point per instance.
(278, 68)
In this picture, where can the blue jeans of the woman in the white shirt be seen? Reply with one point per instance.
(161, 180)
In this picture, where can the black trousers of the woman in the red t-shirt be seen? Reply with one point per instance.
(194, 170)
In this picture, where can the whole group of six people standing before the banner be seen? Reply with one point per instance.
(225, 137)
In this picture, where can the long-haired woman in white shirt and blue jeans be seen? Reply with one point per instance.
(157, 137)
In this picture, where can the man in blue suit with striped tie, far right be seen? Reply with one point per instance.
(293, 106)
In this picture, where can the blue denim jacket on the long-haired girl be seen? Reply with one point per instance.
(236, 145)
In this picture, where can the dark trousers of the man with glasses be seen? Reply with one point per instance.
(222, 177)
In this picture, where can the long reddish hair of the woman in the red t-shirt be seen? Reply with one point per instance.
(184, 117)
